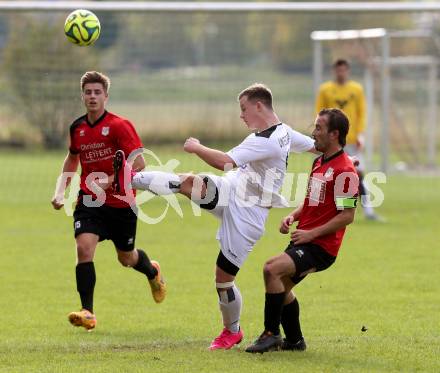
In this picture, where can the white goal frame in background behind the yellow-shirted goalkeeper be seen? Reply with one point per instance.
(386, 64)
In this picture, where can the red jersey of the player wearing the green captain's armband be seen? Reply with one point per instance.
(333, 186)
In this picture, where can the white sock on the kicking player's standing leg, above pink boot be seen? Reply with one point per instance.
(230, 303)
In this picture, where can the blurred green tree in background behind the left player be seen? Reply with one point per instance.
(42, 70)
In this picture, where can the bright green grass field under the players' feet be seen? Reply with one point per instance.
(386, 279)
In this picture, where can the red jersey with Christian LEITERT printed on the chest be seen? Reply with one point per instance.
(97, 143)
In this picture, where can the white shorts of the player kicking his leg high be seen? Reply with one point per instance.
(241, 227)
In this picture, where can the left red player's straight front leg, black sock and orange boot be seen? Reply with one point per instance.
(85, 280)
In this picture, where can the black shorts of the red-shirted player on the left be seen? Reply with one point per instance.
(109, 223)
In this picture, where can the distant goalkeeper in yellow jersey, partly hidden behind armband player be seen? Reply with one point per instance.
(348, 96)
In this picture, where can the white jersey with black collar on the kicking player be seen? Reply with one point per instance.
(262, 162)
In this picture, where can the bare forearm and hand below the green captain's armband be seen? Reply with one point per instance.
(341, 220)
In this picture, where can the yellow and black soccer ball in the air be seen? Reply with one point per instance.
(82, 27)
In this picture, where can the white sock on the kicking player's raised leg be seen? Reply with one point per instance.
(157, 182)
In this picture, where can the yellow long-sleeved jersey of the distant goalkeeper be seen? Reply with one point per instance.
(348, 97)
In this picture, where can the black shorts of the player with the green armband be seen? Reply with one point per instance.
(308, 258)
